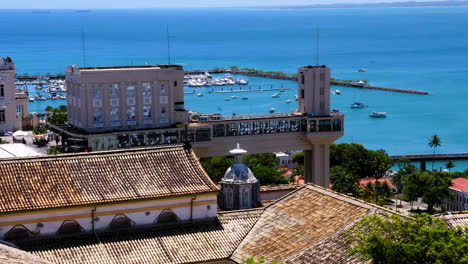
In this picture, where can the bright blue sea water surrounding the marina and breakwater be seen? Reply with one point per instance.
(416, 48)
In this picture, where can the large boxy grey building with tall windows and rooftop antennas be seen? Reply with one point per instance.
(125, 98)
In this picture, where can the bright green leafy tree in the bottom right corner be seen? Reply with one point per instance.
(422, 240)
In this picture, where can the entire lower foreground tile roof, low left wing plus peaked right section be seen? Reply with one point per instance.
(309, 225)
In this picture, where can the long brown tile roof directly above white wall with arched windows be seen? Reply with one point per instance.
(99, 177)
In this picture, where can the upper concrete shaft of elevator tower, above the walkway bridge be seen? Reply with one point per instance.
(314, 90)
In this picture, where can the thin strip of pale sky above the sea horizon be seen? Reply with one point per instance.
(52, 4)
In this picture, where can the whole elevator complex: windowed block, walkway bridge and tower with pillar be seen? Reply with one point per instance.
(311, 129)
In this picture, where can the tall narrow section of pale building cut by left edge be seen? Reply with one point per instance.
(7, 95)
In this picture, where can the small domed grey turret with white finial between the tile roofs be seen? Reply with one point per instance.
(239, 187)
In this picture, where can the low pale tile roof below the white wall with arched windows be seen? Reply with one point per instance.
(185, 244)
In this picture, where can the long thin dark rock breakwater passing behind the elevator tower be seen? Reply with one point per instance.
(294, 78)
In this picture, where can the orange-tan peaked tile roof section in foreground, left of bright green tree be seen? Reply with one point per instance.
(308, 218)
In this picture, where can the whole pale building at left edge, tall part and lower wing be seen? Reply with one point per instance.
(13, 103)
